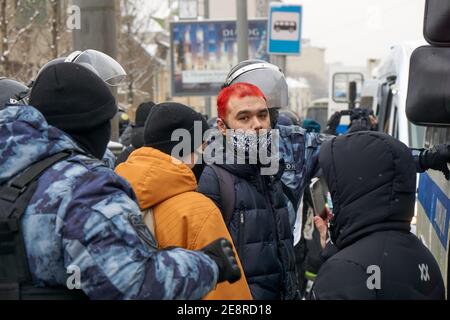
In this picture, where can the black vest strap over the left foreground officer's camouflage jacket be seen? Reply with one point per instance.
(14, 199)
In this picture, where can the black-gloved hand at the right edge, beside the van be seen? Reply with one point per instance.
(436, 158)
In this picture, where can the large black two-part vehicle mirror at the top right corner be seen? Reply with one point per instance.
(428, 100)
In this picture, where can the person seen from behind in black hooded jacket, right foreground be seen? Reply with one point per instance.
(372, 180)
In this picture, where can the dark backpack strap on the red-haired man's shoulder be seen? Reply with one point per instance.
(228, 197)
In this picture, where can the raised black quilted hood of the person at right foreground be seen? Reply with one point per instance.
(372, 180)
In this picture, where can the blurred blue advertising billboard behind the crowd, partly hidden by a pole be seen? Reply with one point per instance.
(203, 52)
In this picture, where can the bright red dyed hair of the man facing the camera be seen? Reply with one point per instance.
(239, 90)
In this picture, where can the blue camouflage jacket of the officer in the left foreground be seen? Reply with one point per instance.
(84, 215)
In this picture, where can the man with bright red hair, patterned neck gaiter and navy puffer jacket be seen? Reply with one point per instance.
(253, 205)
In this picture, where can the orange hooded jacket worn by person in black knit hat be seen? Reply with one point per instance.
(182, 217)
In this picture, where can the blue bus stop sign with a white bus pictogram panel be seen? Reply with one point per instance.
(285, 29)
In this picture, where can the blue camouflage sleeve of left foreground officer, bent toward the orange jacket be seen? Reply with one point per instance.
(103, 236)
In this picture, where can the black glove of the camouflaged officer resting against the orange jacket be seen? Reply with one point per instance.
(221, 251)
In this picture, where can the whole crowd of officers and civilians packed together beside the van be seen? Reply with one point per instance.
(204, 217)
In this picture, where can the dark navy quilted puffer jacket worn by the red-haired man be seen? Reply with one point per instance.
(260, 230)
